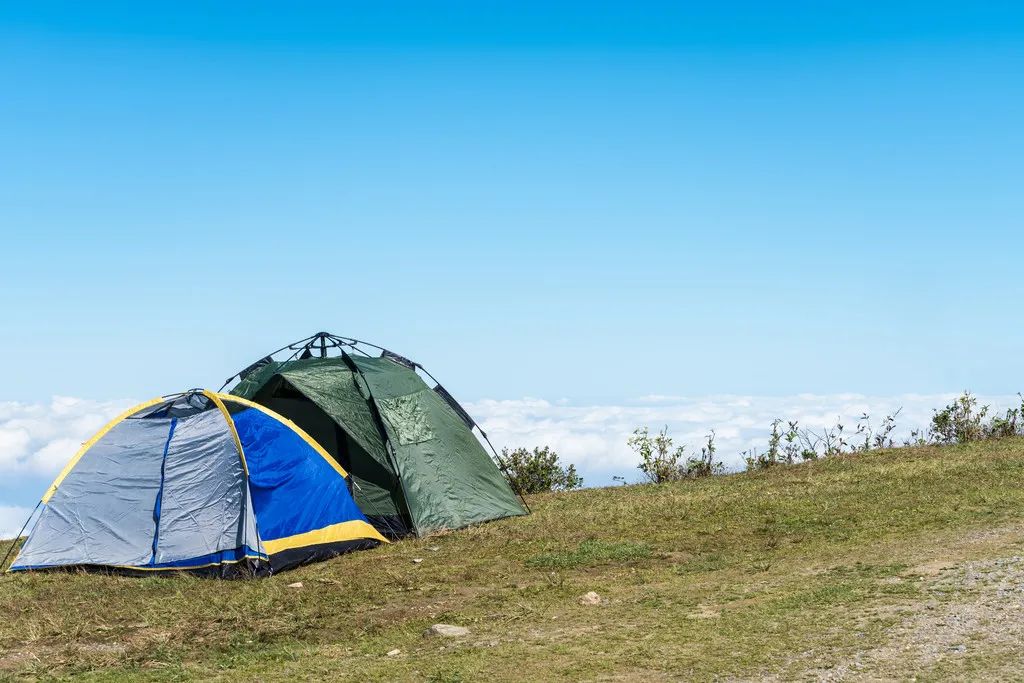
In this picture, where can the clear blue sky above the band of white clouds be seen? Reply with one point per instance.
(590, 202)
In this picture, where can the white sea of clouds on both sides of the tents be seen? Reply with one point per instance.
(36, 440)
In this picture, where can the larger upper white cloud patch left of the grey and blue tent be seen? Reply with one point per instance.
(39, 439)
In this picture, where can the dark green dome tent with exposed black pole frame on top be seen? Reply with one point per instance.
(416, 464)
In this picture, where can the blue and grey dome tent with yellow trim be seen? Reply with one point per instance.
(197, 482)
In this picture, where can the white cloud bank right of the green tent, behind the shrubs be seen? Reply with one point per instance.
(594, 437)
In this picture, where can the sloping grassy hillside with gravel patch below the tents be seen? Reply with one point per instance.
(877, 566)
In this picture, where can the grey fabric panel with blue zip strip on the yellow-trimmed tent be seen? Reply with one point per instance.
(154, 491)
